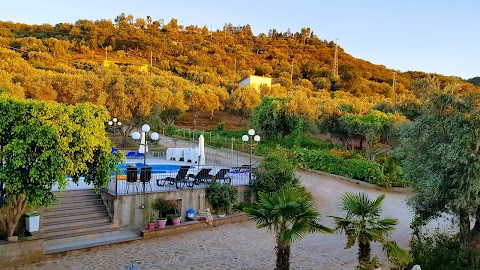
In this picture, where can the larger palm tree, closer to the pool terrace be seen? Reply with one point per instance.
(290, 213)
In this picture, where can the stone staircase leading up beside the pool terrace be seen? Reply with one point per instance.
(80, 215)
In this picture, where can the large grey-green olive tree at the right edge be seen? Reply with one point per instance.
(441, 151)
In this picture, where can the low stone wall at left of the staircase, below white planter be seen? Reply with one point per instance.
(26, 250)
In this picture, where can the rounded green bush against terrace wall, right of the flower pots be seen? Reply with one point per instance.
(221, 197)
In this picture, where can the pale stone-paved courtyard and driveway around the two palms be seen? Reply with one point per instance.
(241, 245)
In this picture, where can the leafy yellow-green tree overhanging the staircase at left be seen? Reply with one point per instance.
(41, 143)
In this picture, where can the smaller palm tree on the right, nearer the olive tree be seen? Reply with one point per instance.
(364, 225)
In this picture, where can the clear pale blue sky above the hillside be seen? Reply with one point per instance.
(422, 35)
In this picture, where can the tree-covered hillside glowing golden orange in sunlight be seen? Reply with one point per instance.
(169, 69)
